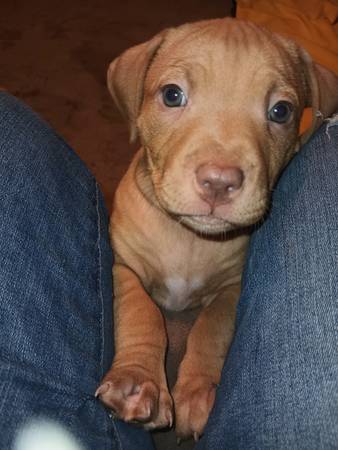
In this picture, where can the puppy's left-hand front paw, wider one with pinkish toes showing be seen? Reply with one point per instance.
(134, 398)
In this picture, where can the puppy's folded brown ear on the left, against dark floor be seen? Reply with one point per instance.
(126, 75)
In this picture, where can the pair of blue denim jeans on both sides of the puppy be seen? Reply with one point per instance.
(279, 387)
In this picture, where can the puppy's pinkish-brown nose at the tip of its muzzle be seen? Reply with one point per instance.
(218, 184)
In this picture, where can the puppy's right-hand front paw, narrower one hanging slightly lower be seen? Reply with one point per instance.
(193, 400)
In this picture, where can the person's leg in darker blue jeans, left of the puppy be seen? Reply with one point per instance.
(55, 287)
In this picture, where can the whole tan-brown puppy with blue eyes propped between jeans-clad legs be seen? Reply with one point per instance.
(217, 106)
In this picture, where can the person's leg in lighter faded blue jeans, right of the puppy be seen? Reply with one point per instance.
(279, 386)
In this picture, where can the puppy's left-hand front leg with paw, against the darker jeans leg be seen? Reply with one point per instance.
(135, 387)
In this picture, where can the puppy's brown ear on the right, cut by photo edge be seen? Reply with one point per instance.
(322, 94)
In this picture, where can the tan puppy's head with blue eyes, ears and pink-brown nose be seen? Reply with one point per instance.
(217, 107)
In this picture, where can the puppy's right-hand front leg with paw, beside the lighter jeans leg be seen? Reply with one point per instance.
(200, 370)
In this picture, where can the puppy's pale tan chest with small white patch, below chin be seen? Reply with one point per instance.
(185, 274)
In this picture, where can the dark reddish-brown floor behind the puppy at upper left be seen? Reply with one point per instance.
(54, 55)
